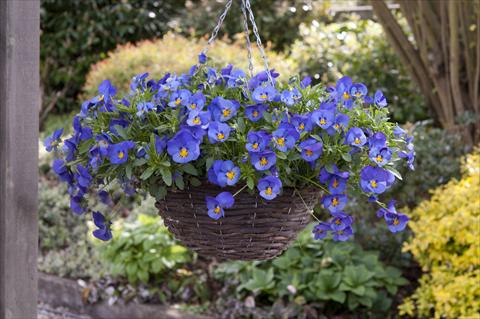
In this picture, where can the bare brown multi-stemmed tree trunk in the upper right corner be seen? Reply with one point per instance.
(443, 57)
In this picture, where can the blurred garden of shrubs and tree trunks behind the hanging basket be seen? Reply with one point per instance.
(432, 269)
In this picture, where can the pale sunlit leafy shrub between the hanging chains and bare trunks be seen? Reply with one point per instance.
(358, 48)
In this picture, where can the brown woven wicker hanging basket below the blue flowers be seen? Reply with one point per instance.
(253, 229)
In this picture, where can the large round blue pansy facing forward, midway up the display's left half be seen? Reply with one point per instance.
(183, 147)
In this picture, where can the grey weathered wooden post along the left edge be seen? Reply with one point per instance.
(19, 105)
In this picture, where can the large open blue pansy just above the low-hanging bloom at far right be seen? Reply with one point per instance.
(375, 179)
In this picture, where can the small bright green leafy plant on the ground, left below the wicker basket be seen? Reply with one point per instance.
(144, 250)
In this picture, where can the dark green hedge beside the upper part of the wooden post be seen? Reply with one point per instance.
(77, 33)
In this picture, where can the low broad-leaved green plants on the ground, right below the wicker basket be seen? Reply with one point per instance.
(330, 275)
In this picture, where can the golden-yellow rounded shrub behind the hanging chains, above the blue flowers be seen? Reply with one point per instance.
(174, 53)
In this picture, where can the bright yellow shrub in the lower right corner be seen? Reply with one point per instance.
(447, 246)
